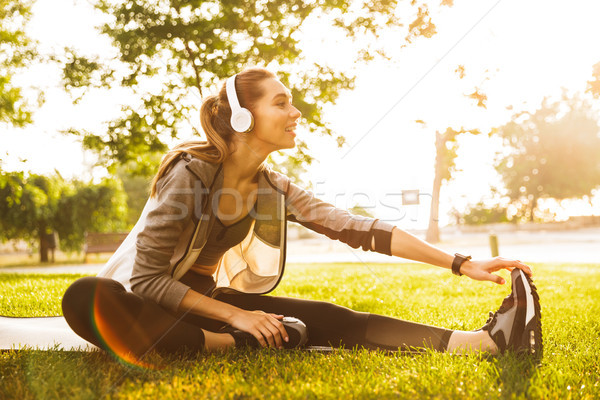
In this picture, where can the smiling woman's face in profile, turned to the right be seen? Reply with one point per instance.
(274, 118)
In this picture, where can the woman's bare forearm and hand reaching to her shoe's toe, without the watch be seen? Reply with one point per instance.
(411, 247)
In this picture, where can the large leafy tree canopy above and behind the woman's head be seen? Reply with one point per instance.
(172, 50)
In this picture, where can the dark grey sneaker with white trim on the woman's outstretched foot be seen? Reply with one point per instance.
(517, 325)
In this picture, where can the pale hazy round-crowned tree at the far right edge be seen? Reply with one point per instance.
(553, 153)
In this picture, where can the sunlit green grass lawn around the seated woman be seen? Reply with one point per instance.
(570, 368)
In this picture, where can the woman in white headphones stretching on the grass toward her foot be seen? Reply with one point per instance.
(211, 242)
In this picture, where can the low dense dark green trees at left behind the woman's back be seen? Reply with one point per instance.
(33, 206)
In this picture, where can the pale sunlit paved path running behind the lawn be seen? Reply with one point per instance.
(577, 246)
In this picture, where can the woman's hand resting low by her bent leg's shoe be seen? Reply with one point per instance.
(266, 328)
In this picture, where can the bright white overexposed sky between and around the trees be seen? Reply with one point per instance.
(529, 50)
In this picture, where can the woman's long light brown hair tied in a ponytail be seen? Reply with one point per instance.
(215, 115)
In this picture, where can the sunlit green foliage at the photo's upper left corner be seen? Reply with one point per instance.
(16, 52)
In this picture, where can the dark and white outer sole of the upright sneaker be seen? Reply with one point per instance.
(531, 340)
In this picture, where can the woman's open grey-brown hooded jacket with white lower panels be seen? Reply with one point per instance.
(175, 224)
